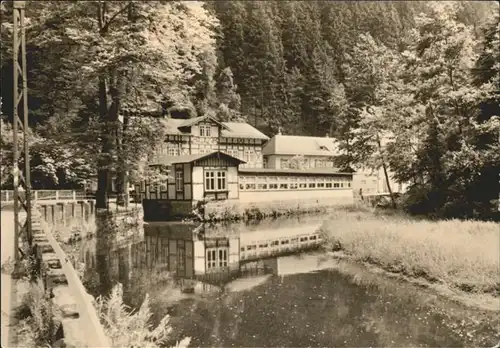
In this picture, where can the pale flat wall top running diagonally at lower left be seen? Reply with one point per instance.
(94, 332)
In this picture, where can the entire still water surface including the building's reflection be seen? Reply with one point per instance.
(233, 285)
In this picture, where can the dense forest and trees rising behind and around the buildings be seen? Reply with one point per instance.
(412, 86)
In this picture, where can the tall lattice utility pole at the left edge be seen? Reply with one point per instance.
(20, 102)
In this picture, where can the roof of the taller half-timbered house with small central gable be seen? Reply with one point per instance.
(175, 126)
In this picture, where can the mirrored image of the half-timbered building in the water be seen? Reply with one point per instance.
(188, 251)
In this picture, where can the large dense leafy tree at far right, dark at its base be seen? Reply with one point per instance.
(450, 154)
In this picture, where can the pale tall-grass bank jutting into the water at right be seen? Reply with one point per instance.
(457, 258)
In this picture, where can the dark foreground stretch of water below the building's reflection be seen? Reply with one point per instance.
(331, 308)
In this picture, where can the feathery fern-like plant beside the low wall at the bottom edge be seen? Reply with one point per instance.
(127, 328)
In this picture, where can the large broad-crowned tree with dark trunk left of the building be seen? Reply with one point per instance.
(128, 56)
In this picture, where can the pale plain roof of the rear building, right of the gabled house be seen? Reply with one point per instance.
(300, 145)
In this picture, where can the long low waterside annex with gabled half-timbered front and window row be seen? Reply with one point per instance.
(216, 177)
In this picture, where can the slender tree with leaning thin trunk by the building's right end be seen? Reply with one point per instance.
(369, 80)
